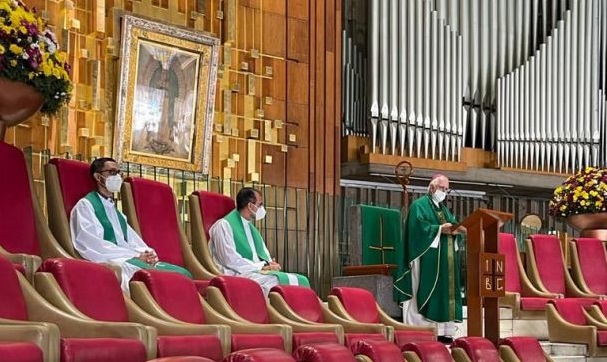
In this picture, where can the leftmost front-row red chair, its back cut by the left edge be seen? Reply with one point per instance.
(82, 339)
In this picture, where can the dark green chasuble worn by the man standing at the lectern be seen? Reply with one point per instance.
(438, 295)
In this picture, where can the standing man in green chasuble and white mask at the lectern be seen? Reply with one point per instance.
(428, 279)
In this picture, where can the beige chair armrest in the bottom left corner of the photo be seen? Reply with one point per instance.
(44, 335)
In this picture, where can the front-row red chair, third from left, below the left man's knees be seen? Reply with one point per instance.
(154, 291)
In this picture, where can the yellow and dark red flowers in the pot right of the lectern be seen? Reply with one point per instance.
(583, 193)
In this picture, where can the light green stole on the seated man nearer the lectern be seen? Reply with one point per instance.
(244, 249)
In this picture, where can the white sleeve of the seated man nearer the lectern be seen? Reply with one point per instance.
(224, 251)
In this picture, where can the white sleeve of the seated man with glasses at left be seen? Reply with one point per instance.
(87, 236)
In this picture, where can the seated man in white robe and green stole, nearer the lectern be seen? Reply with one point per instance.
(239, 250)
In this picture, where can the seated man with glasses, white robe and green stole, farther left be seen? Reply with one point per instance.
(100, 232)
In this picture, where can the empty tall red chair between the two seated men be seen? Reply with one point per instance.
(151, 209)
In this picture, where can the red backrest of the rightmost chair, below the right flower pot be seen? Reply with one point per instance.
(593, 263)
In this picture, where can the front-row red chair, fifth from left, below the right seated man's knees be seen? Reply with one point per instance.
(302, 305)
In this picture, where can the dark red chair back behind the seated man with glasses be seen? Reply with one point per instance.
(66, 182)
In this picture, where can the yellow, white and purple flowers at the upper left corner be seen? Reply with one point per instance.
(29, 53)
